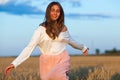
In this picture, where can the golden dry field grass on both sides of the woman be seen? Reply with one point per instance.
(82, 68)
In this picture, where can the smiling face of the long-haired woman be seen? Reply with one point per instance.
(54, 12)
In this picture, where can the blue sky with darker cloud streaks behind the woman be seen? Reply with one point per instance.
(94, 23)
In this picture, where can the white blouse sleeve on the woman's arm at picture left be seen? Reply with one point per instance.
(25, 54)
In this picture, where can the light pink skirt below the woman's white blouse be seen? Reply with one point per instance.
(54, 67)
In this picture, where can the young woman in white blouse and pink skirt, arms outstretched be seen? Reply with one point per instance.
(51, 37)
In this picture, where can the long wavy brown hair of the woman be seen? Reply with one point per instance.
(53, 28)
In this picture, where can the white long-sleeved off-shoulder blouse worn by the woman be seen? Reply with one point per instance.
(46, 45)
